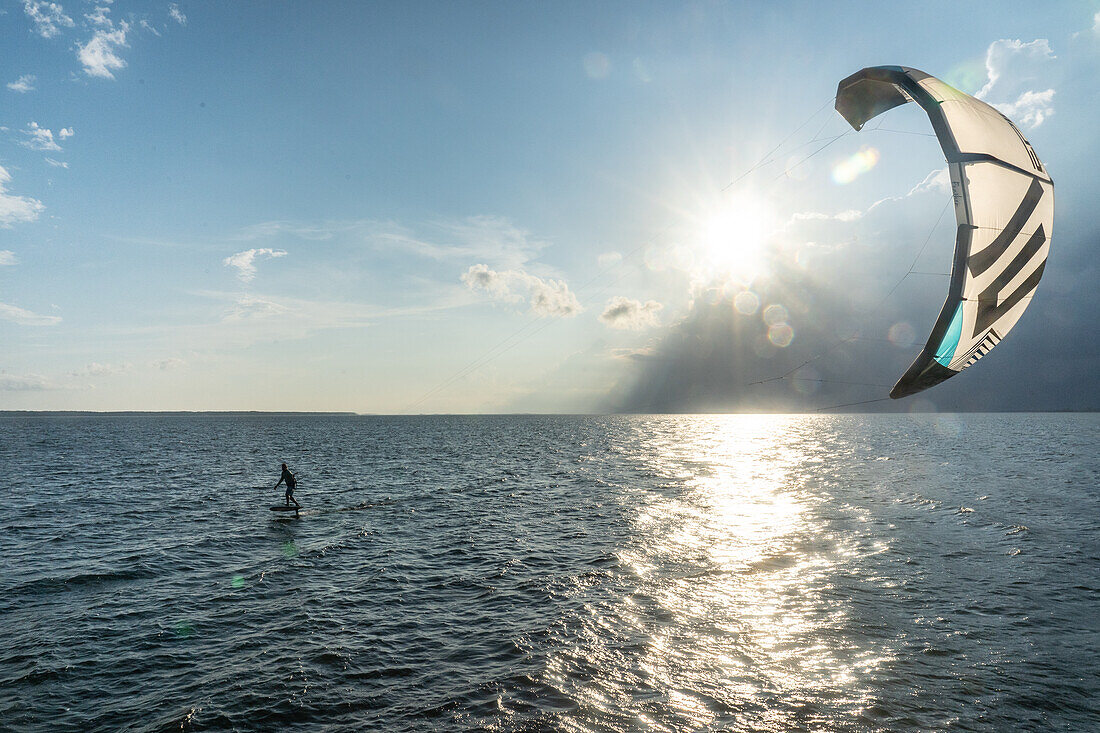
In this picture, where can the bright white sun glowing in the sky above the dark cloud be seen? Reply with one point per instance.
(733, 239)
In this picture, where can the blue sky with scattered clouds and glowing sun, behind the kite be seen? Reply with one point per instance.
(493, 207)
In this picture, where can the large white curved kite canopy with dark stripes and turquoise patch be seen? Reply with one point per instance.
(1004, 206)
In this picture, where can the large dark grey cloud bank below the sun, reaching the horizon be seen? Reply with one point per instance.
(854, 320)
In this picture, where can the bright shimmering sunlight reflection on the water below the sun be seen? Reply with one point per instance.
(732, 617)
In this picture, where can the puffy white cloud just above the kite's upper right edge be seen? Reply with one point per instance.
(1015, 71)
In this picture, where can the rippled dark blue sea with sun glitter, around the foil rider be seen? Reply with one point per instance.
(839, 573)
